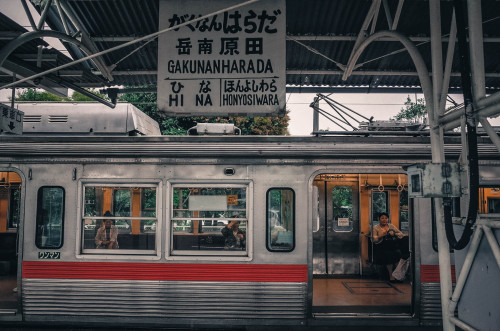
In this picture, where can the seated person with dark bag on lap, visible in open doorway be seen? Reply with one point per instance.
(390, 244)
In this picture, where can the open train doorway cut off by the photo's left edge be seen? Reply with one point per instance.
(10, 217)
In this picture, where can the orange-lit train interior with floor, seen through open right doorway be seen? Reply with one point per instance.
(348, 276)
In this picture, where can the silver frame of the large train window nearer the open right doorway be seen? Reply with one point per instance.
(215, 255)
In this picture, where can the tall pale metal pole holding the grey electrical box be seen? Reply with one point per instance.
(437, 145)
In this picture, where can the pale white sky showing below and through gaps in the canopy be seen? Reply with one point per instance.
(380, 106)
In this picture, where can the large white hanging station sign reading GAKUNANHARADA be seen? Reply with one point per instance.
(229, 64)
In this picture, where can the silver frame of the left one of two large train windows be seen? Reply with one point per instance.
(120, 254)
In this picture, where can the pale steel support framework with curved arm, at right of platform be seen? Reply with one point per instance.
(435, 93)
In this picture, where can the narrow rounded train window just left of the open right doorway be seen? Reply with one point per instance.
(280, 219)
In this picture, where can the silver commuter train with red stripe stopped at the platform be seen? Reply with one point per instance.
(306, 206)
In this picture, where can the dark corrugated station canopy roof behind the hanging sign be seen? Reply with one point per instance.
(320, 38)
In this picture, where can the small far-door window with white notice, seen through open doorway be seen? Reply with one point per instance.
(342, 208)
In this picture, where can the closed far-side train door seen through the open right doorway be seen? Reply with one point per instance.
(336, 243)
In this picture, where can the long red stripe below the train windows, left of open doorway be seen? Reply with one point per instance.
(166, 271)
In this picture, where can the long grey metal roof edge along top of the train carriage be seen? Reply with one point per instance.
(234, 147)
